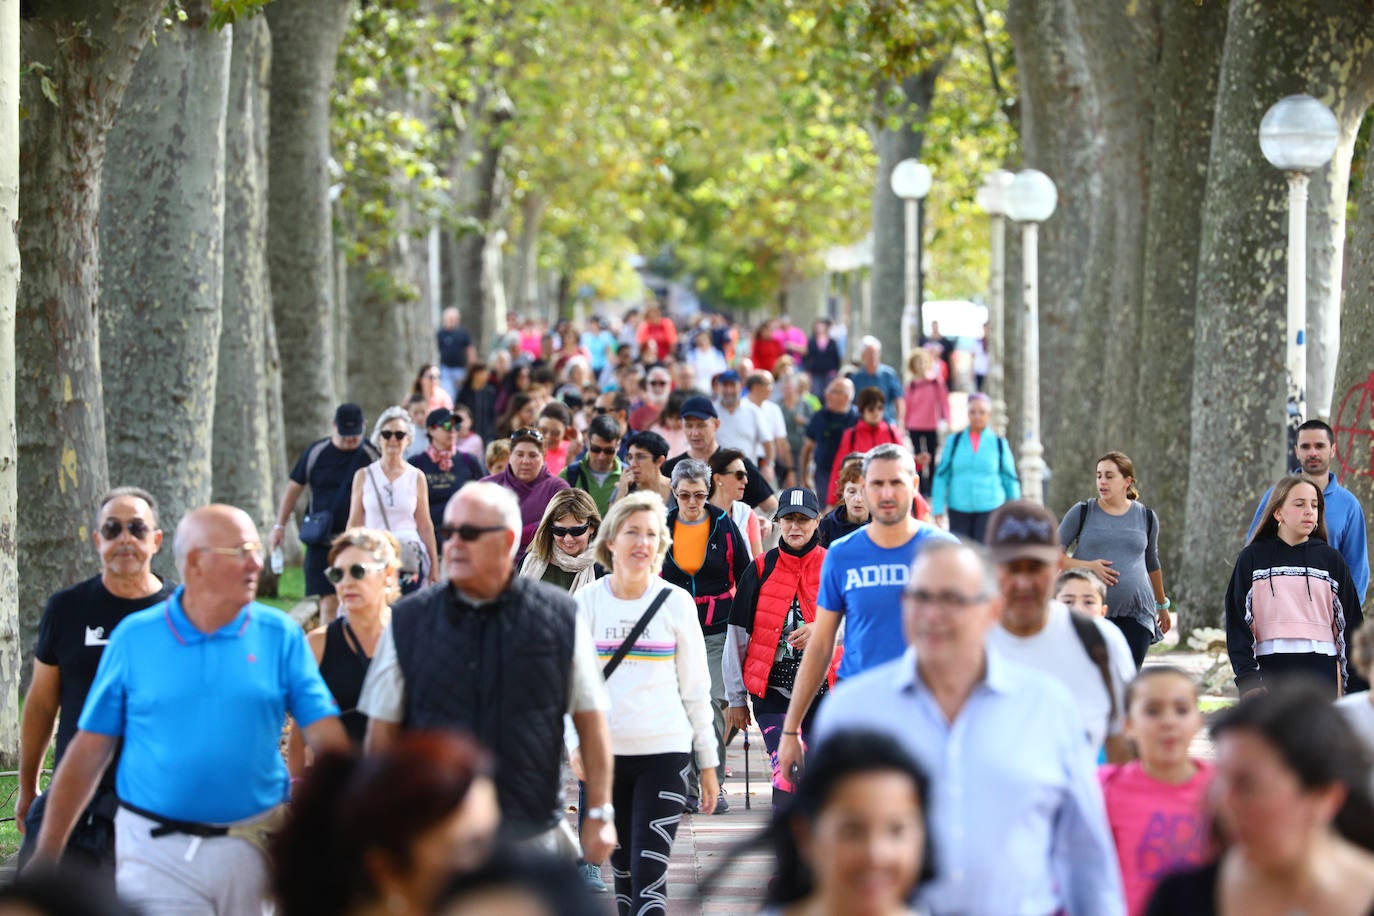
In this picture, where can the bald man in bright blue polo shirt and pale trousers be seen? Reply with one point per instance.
(197, 687)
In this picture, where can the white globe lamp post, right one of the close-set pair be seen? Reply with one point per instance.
(1031, 200)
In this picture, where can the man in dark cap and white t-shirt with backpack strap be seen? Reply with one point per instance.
(1048, 637)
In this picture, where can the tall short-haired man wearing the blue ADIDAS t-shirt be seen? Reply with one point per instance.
(861, 583)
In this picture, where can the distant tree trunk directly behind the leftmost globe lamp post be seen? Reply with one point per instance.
(890, 227)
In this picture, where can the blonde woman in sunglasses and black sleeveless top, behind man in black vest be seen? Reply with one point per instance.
(363, 566)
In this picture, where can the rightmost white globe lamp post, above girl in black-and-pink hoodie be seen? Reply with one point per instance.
(1298, 137)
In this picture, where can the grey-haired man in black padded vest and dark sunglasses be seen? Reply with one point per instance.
(498, 657)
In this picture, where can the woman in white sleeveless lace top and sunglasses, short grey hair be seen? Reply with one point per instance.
(392, 495)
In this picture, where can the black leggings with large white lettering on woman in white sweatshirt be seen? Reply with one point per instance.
(649, 793)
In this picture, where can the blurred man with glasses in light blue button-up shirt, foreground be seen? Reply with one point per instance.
(1017, 816)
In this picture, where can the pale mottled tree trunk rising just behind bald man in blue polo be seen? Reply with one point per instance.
(161, 268)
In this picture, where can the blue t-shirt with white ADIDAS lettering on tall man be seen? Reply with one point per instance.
(865, 582)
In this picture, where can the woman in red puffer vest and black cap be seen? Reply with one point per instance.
(770, 626)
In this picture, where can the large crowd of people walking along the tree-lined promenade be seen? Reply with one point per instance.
(620, 546)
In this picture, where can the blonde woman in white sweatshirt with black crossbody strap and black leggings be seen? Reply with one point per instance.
(660, 693)
